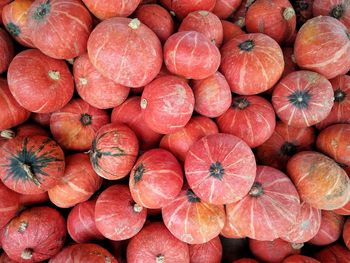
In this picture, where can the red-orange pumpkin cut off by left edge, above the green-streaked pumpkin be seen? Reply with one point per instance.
(11, 113)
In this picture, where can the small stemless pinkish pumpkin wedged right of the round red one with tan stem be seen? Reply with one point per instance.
(212, 95)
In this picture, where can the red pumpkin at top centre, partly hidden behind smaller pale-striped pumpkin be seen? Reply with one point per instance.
(206, 23)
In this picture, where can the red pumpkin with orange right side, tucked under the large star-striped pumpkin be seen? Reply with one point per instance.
(192, 220)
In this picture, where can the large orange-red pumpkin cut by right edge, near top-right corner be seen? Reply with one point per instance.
(333, 58)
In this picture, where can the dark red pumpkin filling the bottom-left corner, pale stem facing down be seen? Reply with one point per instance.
(34, 235)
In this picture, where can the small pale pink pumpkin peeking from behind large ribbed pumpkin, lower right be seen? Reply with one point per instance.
(307, 225)
